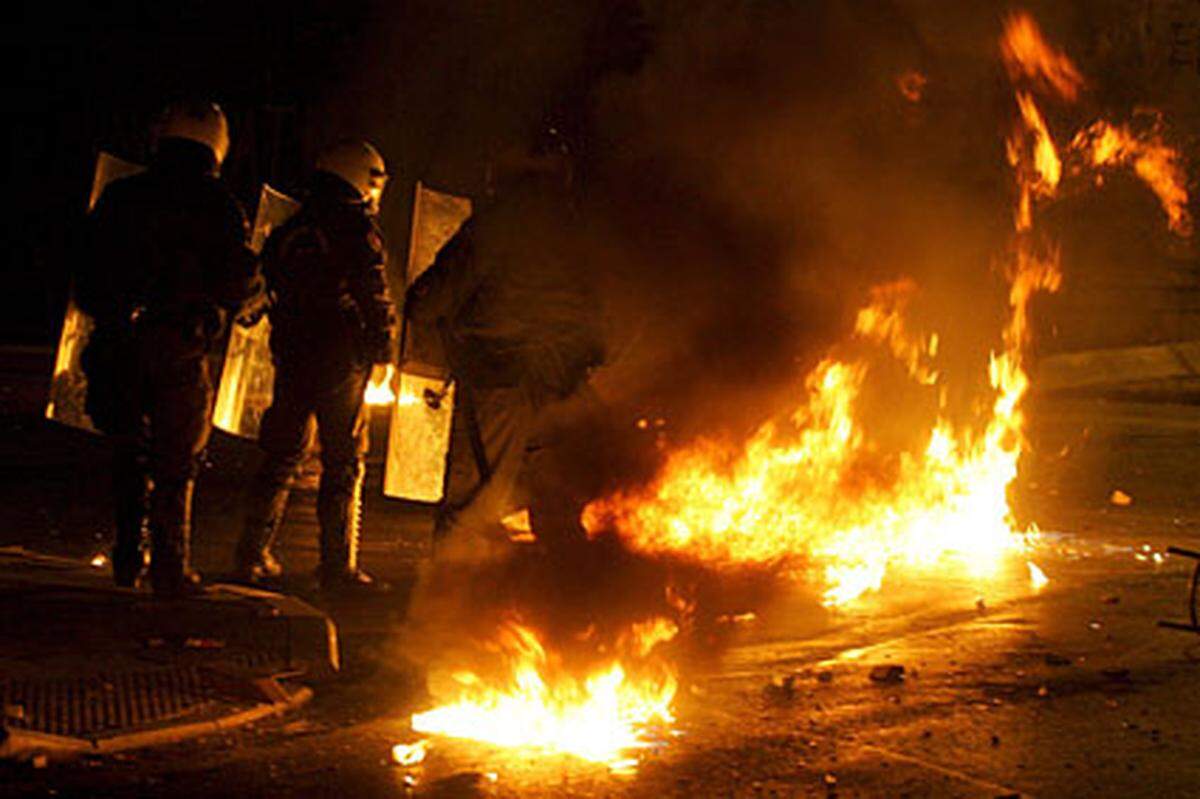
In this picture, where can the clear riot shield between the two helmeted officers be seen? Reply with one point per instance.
(248, 376)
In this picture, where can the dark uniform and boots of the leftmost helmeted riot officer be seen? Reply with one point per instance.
(169, 266)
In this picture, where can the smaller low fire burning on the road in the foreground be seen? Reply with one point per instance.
(537, 704)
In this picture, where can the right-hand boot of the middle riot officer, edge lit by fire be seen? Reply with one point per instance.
(340, 516)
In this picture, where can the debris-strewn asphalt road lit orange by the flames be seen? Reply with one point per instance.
(1069, 692)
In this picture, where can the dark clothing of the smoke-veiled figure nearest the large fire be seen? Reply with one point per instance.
(519, 327)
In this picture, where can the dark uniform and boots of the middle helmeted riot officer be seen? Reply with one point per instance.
(332, 320)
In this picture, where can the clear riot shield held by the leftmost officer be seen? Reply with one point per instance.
(69, 386)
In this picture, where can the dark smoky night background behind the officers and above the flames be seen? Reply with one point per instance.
(751, 167)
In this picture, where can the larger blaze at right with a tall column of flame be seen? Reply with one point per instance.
(814, 494)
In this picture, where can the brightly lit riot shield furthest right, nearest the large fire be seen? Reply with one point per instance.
(419, 435)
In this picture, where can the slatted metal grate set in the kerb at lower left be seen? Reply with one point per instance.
(110, 704)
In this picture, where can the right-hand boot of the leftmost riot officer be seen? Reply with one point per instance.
(171, 545)
